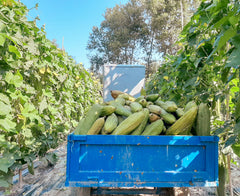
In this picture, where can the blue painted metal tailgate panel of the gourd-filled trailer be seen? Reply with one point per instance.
(142, 161)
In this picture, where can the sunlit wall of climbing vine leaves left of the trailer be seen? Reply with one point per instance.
(43, 92)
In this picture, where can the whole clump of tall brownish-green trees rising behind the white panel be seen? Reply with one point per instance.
(139, 32)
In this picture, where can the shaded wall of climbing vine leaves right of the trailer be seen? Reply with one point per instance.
(206, 69)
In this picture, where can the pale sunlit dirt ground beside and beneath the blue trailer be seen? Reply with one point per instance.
(50, 181)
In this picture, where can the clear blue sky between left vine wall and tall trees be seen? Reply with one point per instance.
(71, 19)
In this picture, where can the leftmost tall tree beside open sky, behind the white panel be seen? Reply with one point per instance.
(116, 40)
